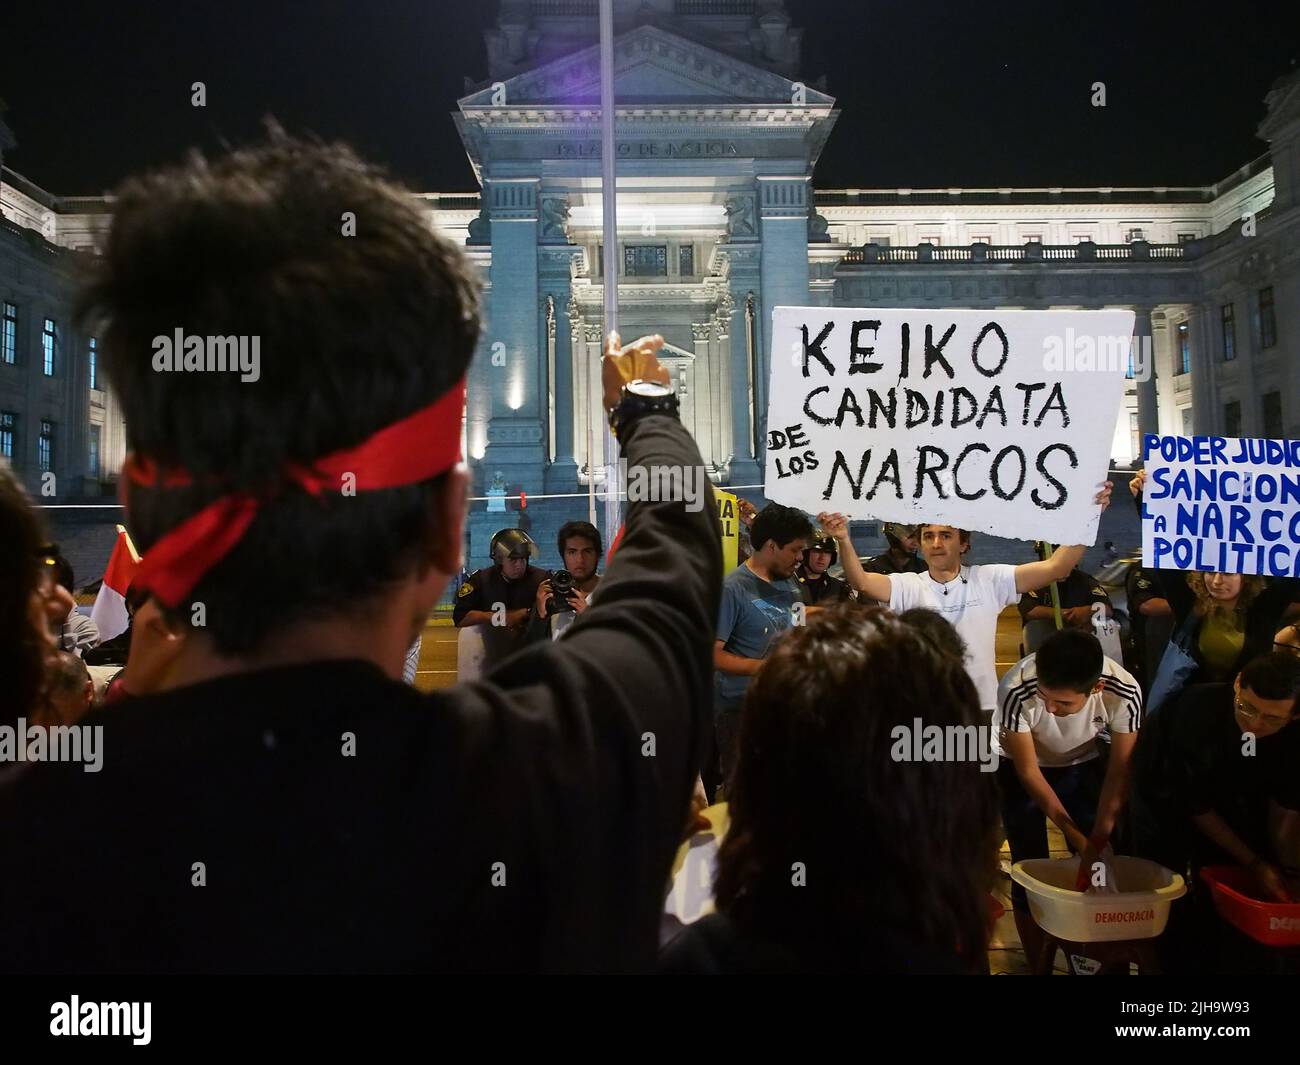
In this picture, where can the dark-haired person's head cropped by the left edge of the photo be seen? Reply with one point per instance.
(27, 611)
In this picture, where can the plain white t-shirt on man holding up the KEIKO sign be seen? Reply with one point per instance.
(970, 604)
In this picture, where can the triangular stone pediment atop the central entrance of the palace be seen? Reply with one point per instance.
(652, 68)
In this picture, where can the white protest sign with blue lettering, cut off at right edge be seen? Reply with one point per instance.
(1223, 505)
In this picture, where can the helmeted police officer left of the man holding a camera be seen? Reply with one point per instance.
(500, 598)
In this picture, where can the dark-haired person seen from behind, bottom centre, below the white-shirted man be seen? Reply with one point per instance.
(843, 854)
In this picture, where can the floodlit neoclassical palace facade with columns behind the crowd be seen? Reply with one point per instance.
(721, 222)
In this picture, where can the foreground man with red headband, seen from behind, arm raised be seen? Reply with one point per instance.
(283, 803)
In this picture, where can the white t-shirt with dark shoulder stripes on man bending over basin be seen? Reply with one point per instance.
(1067, 741)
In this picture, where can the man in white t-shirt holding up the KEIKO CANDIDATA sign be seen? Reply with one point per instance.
(969, 598)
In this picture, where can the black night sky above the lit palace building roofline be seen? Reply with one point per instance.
(933, 94)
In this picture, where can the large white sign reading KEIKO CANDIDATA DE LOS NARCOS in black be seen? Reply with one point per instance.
(998, 422)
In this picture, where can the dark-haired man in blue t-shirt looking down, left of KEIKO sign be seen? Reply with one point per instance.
(757, 608)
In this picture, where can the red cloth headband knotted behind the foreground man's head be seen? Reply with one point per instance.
(415, 449)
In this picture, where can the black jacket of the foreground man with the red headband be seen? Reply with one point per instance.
(515, 824)
